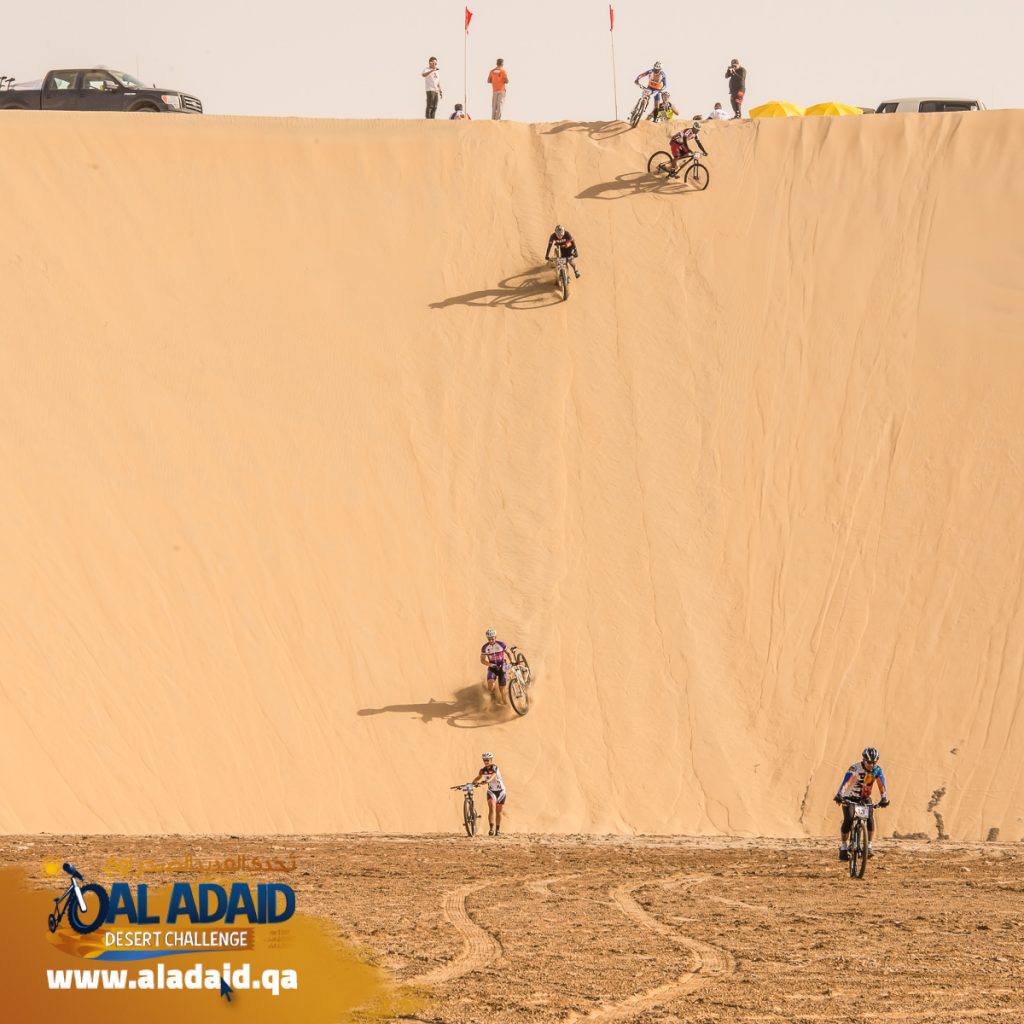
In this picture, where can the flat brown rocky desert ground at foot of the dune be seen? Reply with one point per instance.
(654, 930)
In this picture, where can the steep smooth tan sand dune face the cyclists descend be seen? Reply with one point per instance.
(288, 420)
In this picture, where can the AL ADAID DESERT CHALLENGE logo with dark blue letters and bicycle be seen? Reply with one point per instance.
(131, 923)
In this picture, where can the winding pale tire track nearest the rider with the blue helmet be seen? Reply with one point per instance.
(711, 962)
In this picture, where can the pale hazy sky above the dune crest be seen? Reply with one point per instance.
(359, 60)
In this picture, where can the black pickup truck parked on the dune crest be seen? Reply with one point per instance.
(97, 90)
